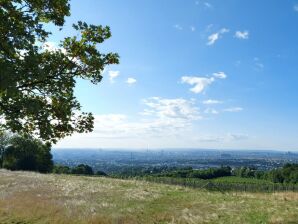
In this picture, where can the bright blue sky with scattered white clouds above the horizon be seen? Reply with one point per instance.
(192, 74)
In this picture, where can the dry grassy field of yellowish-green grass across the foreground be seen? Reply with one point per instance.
(35, 198)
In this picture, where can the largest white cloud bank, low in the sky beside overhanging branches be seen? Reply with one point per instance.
(161, 118)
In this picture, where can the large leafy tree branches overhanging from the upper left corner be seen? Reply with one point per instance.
(36, 82)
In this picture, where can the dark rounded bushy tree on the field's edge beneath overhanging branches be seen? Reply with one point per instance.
(26, 153)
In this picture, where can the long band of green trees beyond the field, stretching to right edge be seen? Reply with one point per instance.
(288, 174)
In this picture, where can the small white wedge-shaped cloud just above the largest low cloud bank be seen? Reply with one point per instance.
(201, 83)
